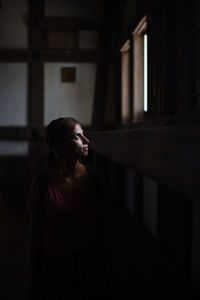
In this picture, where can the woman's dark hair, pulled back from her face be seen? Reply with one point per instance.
(57, 131)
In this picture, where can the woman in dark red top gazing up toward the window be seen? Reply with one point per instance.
(66, 217)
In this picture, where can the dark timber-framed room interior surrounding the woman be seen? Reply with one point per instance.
(130, 73)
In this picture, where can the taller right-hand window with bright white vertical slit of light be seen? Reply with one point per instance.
(140, 71)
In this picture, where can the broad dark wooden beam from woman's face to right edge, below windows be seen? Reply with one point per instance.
(169, 156)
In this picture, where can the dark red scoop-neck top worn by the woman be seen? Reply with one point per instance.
(70, 220)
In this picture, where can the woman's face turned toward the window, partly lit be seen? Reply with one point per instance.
(76, 145)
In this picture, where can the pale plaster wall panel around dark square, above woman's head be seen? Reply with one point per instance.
(73, 99)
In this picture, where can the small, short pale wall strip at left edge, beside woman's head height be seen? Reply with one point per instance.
(13, 148)
